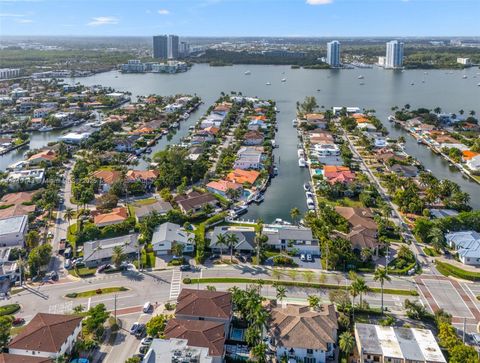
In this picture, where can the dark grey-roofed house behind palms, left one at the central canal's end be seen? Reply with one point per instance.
(245, 239)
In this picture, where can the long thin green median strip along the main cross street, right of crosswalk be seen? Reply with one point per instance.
(313, 285)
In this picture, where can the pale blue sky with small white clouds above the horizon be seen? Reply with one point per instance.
(316, 18)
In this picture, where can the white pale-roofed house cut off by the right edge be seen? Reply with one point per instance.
(467, 246)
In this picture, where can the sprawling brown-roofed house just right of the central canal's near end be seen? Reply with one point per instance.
(363, 229)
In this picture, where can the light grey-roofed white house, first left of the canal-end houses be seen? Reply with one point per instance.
(168, 234)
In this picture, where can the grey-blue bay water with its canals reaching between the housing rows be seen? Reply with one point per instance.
(381, 90)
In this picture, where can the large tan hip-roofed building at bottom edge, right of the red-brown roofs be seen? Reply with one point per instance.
(300, 333)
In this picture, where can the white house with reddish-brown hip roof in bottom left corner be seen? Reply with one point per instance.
(47, 335)
